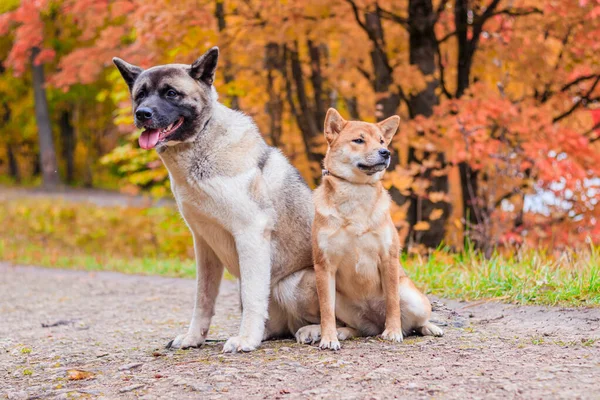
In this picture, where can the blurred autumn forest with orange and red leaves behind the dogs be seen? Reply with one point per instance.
(499, 143)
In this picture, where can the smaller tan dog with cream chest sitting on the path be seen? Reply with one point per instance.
(355, 244)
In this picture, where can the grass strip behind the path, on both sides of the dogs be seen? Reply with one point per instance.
(156, 241)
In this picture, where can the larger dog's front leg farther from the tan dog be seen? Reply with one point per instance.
(209, 271)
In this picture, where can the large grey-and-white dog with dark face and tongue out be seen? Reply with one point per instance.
(247, 207)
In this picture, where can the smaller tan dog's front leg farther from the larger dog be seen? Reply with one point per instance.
(391, 282)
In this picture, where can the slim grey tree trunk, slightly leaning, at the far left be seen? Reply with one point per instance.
(48, 163)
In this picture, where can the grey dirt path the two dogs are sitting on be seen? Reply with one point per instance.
(115, 326)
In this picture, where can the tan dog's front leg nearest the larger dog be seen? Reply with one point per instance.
(325, 276)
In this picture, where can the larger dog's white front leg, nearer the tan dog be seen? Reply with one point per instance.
(254, 253)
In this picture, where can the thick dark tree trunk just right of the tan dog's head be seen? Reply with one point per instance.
(422, 53)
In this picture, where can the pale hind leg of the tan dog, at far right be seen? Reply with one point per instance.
(416, 310)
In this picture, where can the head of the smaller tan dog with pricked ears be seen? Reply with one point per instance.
(358, 151)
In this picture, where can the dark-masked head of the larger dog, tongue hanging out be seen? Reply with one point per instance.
(172, 102)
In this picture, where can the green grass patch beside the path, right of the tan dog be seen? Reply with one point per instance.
(527, 277)
